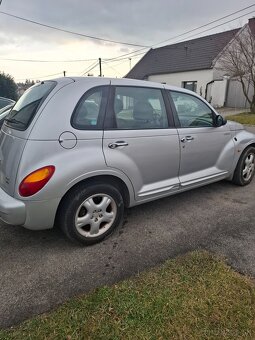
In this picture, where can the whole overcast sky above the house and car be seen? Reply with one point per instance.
(144, 22)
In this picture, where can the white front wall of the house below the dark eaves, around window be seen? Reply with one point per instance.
(202, 77)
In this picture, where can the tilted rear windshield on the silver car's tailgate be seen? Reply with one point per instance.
(26, 107)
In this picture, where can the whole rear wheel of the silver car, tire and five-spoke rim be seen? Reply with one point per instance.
(91, 213)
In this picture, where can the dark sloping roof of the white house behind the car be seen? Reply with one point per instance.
(196, 54)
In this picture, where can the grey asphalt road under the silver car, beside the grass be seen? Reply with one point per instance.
(41, 269)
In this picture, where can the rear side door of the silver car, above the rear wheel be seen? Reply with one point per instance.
(140, 141)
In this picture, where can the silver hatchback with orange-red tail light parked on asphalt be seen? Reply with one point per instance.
(75, 152)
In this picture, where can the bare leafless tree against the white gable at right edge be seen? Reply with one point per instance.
(237, 60)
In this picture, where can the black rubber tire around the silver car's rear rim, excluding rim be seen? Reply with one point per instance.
(73, 203)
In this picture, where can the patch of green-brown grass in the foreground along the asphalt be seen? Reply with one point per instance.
(191, 297)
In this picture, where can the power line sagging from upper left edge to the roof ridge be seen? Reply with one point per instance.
(70, 32)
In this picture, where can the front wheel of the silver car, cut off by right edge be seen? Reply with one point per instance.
(245, 168)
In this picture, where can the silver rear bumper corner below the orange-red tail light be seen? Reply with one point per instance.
(12, 211)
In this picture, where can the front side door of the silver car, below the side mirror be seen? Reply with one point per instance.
(207, 151)
